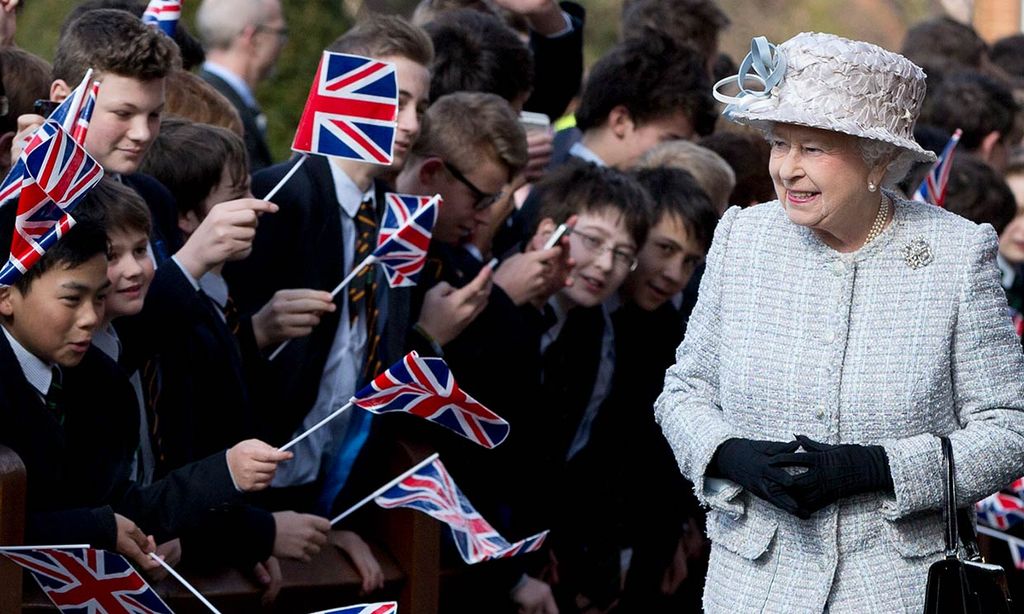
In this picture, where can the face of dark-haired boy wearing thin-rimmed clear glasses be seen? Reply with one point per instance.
(604, 250)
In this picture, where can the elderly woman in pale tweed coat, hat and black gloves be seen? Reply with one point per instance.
(840, 331)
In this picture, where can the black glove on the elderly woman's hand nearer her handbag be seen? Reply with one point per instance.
(835, 472)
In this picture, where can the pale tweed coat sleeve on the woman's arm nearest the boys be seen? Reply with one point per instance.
(689, 409)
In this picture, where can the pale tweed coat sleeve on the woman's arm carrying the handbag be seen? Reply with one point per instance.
(988, 376)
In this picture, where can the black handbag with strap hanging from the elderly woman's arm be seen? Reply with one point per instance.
(962, 583)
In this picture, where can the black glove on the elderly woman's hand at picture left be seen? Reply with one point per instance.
(748, 463)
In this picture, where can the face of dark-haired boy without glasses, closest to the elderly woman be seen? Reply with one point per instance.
(665, 265)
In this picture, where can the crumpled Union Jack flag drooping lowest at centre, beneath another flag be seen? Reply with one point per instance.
(433, 492)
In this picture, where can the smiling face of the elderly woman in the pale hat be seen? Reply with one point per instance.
(822, 180)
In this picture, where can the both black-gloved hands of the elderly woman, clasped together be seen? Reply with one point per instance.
(826, 473)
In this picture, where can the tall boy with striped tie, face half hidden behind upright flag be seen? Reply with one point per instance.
(313, 244)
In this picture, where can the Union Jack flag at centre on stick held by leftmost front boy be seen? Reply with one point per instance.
(425, 387)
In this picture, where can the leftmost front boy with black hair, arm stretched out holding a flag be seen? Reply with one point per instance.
(62, 402)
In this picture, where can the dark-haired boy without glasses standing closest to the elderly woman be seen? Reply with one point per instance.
(649, 329)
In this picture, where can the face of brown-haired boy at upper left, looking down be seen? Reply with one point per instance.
(125, 122)
